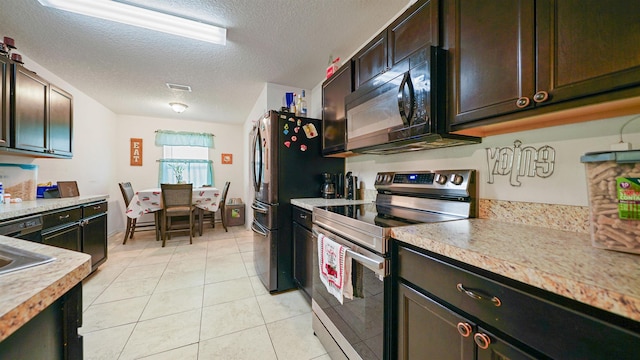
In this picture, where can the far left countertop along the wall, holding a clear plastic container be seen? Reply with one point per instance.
(9, 211)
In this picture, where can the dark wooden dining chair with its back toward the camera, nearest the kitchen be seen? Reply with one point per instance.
(176, 202)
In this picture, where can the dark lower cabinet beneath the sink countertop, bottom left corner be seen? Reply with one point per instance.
(52, 334)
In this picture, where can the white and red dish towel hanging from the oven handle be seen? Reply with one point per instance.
(335, 269)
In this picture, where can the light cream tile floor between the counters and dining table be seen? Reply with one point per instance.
(191, 301)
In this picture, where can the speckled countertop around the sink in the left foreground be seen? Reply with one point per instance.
(25, 293)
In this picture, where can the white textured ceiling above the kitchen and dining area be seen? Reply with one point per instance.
(126, 68)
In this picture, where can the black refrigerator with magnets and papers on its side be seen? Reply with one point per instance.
(286, 163)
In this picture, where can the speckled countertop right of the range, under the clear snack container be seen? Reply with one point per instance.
(561, 262)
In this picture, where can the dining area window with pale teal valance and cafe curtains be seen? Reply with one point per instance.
(185, 158)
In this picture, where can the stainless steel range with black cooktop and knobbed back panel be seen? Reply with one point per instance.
(356, 328)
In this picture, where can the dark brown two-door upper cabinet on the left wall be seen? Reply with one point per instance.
(41, 116)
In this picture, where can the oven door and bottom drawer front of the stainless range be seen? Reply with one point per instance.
(356, 326)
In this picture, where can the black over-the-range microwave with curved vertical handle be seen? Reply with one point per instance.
(403, 109)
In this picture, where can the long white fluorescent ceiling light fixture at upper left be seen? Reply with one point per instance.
(131, 15)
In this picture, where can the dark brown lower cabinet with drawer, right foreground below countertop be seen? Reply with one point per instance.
(445, 309)
